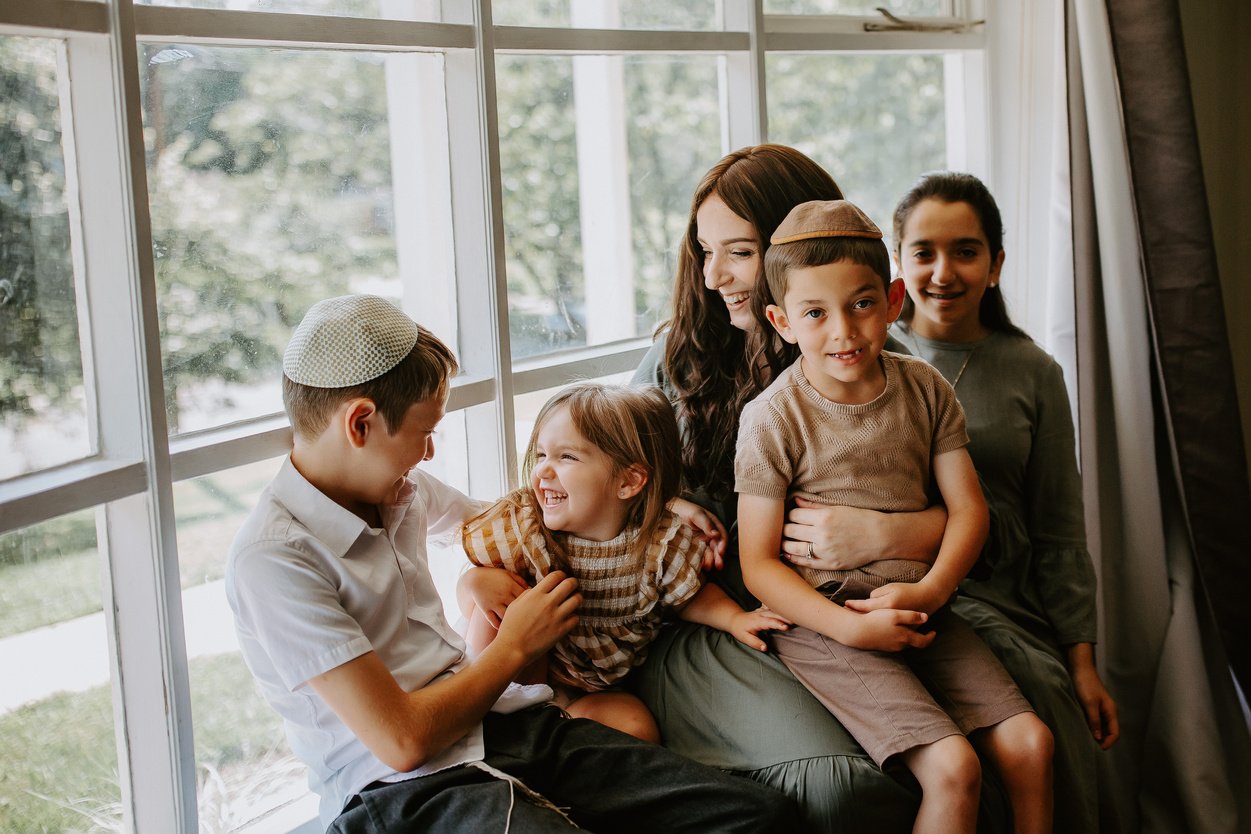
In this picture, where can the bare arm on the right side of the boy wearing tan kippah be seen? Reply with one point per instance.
(968, 526)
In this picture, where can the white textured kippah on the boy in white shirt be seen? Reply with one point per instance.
(348, 341)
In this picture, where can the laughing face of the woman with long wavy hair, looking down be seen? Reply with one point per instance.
(731, 258)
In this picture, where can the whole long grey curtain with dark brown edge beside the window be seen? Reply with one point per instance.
(1163, 456)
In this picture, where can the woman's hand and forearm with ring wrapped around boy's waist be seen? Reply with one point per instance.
(841, 538)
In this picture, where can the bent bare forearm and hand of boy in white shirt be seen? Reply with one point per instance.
(405, 730)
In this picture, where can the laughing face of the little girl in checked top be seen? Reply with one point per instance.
(576, 485)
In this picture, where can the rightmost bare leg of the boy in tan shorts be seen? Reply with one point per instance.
(1021, 748)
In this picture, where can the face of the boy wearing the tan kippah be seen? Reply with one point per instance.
(839, 316)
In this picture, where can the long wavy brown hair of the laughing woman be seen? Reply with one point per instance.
(715, 367)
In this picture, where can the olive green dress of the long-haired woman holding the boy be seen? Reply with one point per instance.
(731, 707)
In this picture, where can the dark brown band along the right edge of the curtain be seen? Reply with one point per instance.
(1187, 309)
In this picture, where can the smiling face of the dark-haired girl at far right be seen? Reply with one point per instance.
(948, 266)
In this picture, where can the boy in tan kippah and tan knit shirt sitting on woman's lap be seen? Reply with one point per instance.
(851, 425)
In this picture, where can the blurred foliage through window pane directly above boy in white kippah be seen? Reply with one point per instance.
(268, 193)
